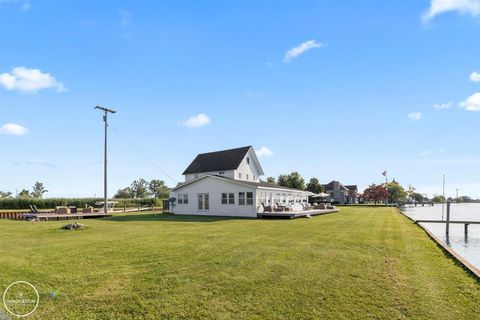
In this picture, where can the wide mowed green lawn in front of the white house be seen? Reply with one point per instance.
(360, 263)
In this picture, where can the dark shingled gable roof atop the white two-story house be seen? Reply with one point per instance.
(217, 161)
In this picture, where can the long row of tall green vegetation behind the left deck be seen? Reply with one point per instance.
(23, 203)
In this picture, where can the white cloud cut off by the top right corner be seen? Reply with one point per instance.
(471, 7)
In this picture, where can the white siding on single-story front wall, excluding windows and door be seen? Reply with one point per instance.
(214, 187)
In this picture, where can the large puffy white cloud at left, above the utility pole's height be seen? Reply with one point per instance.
(29, 80)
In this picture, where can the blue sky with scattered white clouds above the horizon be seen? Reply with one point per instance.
(333, 89)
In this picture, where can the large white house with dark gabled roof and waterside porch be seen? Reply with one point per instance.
(227, 183)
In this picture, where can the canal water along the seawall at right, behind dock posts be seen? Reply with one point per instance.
(468, 247)
